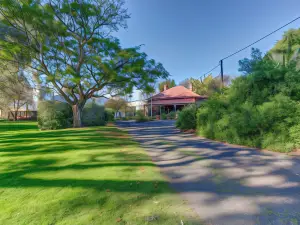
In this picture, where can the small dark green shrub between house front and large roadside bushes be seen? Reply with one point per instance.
(187, 118)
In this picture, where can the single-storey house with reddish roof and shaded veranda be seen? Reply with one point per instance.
(172, 99)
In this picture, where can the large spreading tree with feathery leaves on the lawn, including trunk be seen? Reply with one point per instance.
(70, 45)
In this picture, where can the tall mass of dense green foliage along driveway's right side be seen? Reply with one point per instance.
(260, 110)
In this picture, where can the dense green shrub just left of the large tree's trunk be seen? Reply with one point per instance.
(54, 115)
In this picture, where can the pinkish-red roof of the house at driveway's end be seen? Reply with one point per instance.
(177, 92)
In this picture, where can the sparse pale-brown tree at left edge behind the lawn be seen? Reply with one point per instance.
(15, 91)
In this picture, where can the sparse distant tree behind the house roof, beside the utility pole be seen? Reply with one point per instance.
(209, 85)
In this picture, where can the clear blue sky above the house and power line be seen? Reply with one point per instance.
(190, 36)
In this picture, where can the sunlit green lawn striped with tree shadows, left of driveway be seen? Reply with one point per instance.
(82, 176)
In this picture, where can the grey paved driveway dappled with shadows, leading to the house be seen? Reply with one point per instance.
(224, 184)
